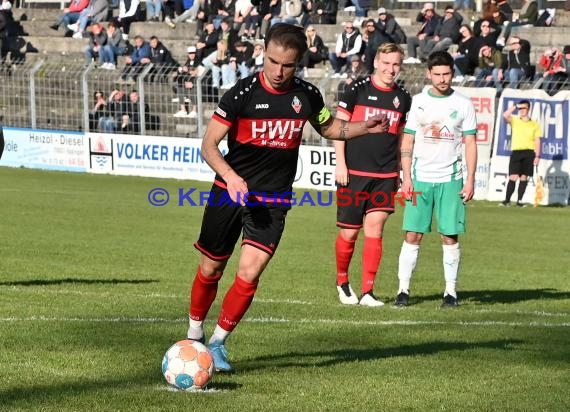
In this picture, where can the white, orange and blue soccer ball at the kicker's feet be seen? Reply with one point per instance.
(188, 365)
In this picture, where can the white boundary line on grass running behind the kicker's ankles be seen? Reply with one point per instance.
(301, 321)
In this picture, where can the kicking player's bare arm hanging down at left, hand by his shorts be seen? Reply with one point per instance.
(212, 155)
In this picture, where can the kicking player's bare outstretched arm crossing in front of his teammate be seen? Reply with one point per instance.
(337, 129)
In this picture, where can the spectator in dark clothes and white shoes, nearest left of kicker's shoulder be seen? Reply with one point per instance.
(186, 85)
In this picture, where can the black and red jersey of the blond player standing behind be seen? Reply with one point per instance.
(375, 154)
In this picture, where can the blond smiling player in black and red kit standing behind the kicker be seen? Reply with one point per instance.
(367, 171)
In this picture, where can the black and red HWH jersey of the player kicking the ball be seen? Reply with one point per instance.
(266, 128)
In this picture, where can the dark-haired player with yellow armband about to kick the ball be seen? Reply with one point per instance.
(263, 116)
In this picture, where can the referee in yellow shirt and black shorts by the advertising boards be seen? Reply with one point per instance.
(525, 149)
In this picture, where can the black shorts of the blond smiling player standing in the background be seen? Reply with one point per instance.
(363, 195)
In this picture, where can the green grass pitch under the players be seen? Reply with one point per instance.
(94, 285)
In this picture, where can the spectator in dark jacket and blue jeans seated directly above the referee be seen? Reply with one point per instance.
(516, 65)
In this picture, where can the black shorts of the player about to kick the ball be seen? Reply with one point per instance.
(224, 221)
